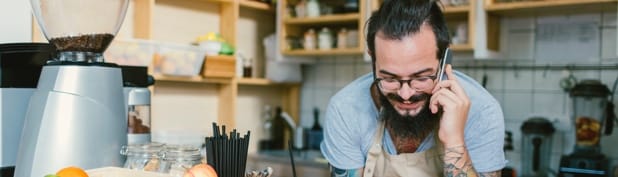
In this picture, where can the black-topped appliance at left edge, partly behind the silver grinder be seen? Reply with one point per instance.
(20, 67)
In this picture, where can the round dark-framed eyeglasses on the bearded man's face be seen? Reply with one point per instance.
(417, 83)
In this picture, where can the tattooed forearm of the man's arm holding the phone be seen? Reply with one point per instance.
(457, 162)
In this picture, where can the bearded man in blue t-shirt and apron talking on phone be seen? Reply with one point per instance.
(402, 121)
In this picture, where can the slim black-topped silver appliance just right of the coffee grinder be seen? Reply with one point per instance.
(137, 102)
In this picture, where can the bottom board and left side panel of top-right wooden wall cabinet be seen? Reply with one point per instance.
(495, 10)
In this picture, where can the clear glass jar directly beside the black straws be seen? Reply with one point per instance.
(177, 159)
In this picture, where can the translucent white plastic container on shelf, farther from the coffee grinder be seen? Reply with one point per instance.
(179, 59)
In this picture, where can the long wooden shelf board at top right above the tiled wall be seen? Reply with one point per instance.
(546, 7)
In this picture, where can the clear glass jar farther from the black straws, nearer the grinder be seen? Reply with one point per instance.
(145, 157)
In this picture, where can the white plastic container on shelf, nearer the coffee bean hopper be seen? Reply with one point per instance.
(131, 52)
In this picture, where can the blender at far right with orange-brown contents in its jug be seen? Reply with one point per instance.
(590, 115)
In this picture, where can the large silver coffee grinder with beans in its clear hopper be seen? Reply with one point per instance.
(76, 115)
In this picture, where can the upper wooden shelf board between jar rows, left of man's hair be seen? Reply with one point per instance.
(326, 19)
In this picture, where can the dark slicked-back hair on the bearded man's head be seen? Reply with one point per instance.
(399, 18)
